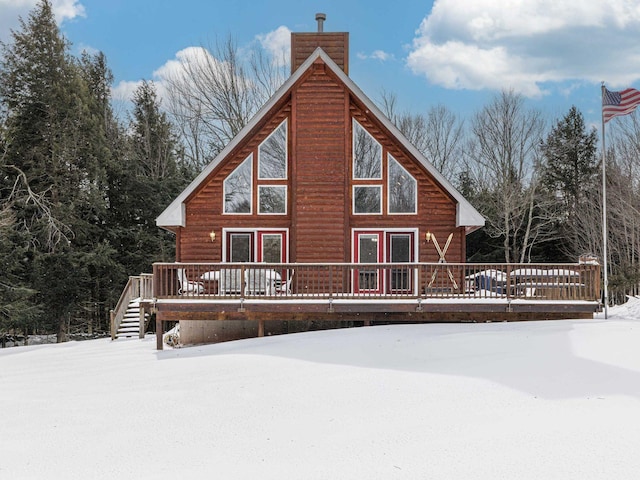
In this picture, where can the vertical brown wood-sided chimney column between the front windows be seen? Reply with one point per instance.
(319, 157)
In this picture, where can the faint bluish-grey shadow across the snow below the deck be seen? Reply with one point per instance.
(540, 358)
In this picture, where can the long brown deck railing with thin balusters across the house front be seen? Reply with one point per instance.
(384, 281)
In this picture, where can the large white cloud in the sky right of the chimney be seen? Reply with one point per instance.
(480, 44)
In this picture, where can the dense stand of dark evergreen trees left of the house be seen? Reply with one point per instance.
(79, 188)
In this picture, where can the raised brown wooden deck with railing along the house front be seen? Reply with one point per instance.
(369, 293)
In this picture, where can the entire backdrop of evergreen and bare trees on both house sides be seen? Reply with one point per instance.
(80, 187)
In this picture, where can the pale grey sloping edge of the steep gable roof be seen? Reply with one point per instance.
(466, 215)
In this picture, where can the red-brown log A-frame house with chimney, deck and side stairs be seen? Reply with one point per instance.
(320, 210)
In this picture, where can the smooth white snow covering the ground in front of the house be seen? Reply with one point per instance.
(535, 400)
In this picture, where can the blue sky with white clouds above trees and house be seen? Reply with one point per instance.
(456, 52)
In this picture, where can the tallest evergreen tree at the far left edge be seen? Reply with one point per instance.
(53, 165)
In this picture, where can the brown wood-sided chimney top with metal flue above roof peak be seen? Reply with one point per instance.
(334, 44)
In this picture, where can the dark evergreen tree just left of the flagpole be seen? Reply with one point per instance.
(570, 174)
